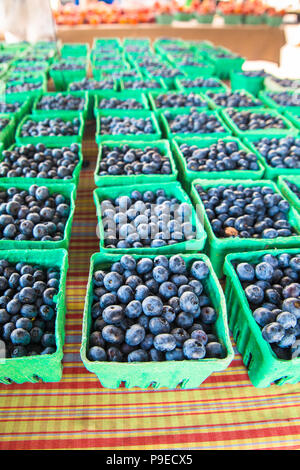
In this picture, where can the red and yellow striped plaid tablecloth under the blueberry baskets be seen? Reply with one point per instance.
(225, 412)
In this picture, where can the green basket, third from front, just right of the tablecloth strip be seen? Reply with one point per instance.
(119, 180)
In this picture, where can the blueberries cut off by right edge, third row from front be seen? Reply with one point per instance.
(280, 152)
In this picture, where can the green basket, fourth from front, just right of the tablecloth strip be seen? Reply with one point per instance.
(140, 113)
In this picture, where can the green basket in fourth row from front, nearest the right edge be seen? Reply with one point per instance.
(288, 130)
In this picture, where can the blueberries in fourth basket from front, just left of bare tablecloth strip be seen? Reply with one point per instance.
(50, 127)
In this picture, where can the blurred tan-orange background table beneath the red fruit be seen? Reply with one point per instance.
(255, 42)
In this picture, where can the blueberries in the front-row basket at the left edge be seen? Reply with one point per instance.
(27, 308)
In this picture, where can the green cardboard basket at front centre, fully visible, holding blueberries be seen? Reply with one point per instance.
(184, 374)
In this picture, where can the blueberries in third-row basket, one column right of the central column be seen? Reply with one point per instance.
(219, 156)
